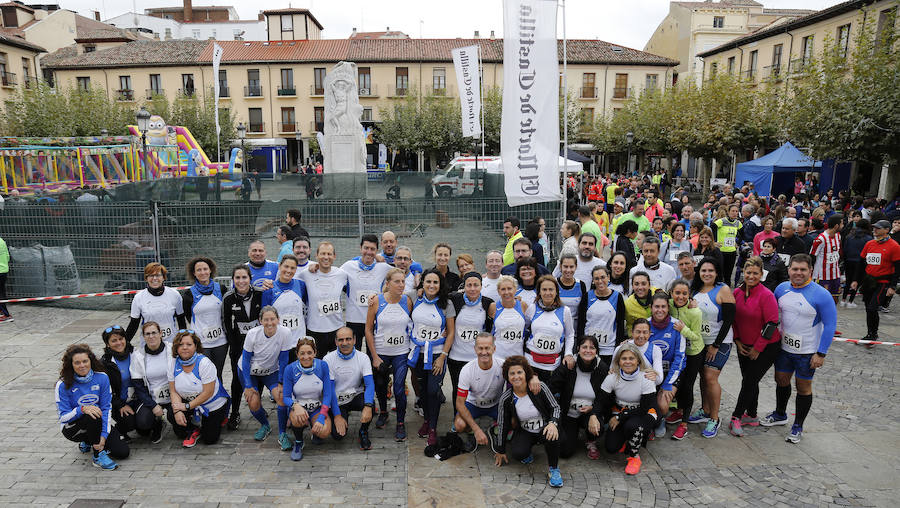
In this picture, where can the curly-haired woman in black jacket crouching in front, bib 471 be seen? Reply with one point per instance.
(537, 418)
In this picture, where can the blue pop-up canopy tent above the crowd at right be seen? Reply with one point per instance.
(774, 172)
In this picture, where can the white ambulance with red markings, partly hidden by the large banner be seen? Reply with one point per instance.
(461, 178)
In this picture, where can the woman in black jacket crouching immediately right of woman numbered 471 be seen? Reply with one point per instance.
(579, 390)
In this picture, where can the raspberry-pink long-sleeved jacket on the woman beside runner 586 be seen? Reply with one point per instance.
(753, 311)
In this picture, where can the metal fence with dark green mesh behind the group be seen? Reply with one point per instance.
(111, 241)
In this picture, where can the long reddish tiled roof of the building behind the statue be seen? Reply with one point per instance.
(179, 52)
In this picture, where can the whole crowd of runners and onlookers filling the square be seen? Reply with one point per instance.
(601, 352)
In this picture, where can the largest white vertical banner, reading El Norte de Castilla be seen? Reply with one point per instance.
(529, 133)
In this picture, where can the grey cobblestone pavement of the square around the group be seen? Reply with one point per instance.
(848, 456)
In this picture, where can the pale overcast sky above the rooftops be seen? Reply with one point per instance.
(626, 22)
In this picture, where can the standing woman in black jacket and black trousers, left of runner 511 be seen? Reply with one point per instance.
(240, 311)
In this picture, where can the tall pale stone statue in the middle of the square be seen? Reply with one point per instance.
(344, 149)
